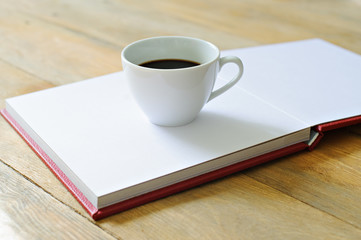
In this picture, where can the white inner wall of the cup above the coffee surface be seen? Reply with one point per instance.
(171, 47)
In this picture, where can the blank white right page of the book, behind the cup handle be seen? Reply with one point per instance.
(313, 80)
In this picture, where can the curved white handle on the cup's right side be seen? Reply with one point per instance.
(222, 62)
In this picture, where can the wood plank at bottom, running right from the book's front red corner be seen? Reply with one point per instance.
(232, 208)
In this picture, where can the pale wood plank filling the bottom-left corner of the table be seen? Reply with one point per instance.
(27, 212)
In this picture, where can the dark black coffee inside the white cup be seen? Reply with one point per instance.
(169, 64)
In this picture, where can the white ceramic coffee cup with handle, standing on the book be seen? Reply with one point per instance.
(174, 97)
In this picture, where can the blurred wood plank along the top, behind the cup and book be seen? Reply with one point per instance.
(243, 23)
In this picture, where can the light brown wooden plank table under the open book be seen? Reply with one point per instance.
(46, 43)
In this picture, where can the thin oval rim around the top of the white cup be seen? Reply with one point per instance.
(165, 37)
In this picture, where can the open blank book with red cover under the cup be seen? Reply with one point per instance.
(94, 138)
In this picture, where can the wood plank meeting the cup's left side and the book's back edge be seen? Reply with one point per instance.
(51, 52)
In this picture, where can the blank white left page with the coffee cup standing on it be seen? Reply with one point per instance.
(106, 142)
